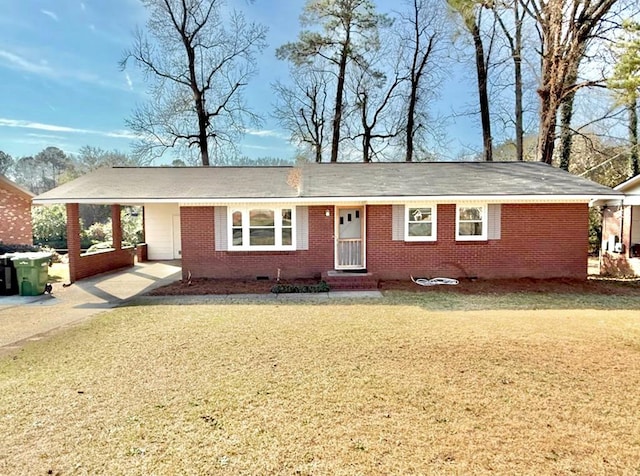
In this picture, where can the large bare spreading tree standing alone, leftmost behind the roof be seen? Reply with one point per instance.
(197, 60)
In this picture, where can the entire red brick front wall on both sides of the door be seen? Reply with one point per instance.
(537, 240)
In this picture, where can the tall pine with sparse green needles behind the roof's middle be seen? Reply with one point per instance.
(349, 31)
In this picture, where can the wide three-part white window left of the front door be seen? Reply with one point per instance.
(261, 228)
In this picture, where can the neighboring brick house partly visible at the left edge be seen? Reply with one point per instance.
(15, 214)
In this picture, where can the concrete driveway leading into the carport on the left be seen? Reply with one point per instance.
(25, 319)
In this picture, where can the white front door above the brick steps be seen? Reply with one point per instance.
(350, 243)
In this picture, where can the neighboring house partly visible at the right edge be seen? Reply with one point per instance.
(620, 254)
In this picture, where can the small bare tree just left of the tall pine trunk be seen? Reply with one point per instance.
(301, 108)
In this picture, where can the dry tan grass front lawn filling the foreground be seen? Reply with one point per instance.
(327, 389)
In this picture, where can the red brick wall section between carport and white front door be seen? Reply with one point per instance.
(201, 260)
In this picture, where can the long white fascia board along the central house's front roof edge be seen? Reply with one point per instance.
(340, 200)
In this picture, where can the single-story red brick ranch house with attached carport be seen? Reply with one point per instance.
(452, 219)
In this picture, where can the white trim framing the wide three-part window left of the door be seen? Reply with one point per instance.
(245, 211)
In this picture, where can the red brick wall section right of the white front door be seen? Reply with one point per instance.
(537, 240)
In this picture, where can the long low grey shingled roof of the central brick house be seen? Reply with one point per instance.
(372, 182)
